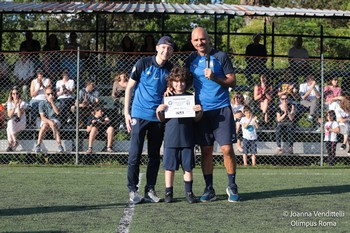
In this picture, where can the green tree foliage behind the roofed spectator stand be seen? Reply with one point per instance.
(137, 26)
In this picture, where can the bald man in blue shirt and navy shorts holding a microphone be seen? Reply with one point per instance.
(213, 74)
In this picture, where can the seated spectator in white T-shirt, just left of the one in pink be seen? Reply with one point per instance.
(310, 98)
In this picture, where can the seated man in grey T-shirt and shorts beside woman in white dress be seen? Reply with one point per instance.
(49, 114)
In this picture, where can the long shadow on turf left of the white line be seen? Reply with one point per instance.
(53, 209)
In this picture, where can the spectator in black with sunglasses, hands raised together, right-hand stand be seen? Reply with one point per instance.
(285, 124)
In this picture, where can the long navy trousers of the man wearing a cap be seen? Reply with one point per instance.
(155, 133)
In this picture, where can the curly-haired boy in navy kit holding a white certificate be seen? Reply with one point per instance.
(178, 139)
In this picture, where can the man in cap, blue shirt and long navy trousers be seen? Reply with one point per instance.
(148, 83)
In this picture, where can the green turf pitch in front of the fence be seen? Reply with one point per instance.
(94, 199)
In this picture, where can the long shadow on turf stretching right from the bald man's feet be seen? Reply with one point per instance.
(309, 191)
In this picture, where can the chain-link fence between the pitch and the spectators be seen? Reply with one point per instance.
(290, 113)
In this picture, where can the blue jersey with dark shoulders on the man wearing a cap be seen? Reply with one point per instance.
(150, 87)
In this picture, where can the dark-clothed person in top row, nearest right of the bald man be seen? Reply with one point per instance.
(255, 58)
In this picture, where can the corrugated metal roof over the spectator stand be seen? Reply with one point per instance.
(167, 8)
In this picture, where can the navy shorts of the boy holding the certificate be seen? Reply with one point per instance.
(173, 157)
